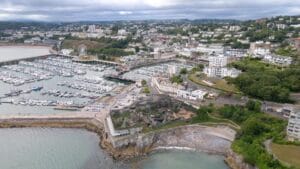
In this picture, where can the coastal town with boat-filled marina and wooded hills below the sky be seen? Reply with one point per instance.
(139, 77)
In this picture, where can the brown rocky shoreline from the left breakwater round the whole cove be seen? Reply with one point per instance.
(212, 140)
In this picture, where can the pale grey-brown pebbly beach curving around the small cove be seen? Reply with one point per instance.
(199, 138)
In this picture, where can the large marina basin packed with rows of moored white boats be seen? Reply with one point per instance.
(55, 84)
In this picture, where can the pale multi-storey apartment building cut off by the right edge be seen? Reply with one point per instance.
(293, 128)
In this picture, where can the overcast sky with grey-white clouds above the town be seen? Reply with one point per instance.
(99, 10)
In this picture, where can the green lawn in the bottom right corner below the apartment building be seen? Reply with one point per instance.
(289, 154)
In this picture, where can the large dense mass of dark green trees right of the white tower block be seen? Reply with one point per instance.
(267, 82)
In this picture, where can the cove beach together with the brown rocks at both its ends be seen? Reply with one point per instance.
(215, 140)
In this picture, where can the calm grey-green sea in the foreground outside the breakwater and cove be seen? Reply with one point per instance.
(45, 148)
